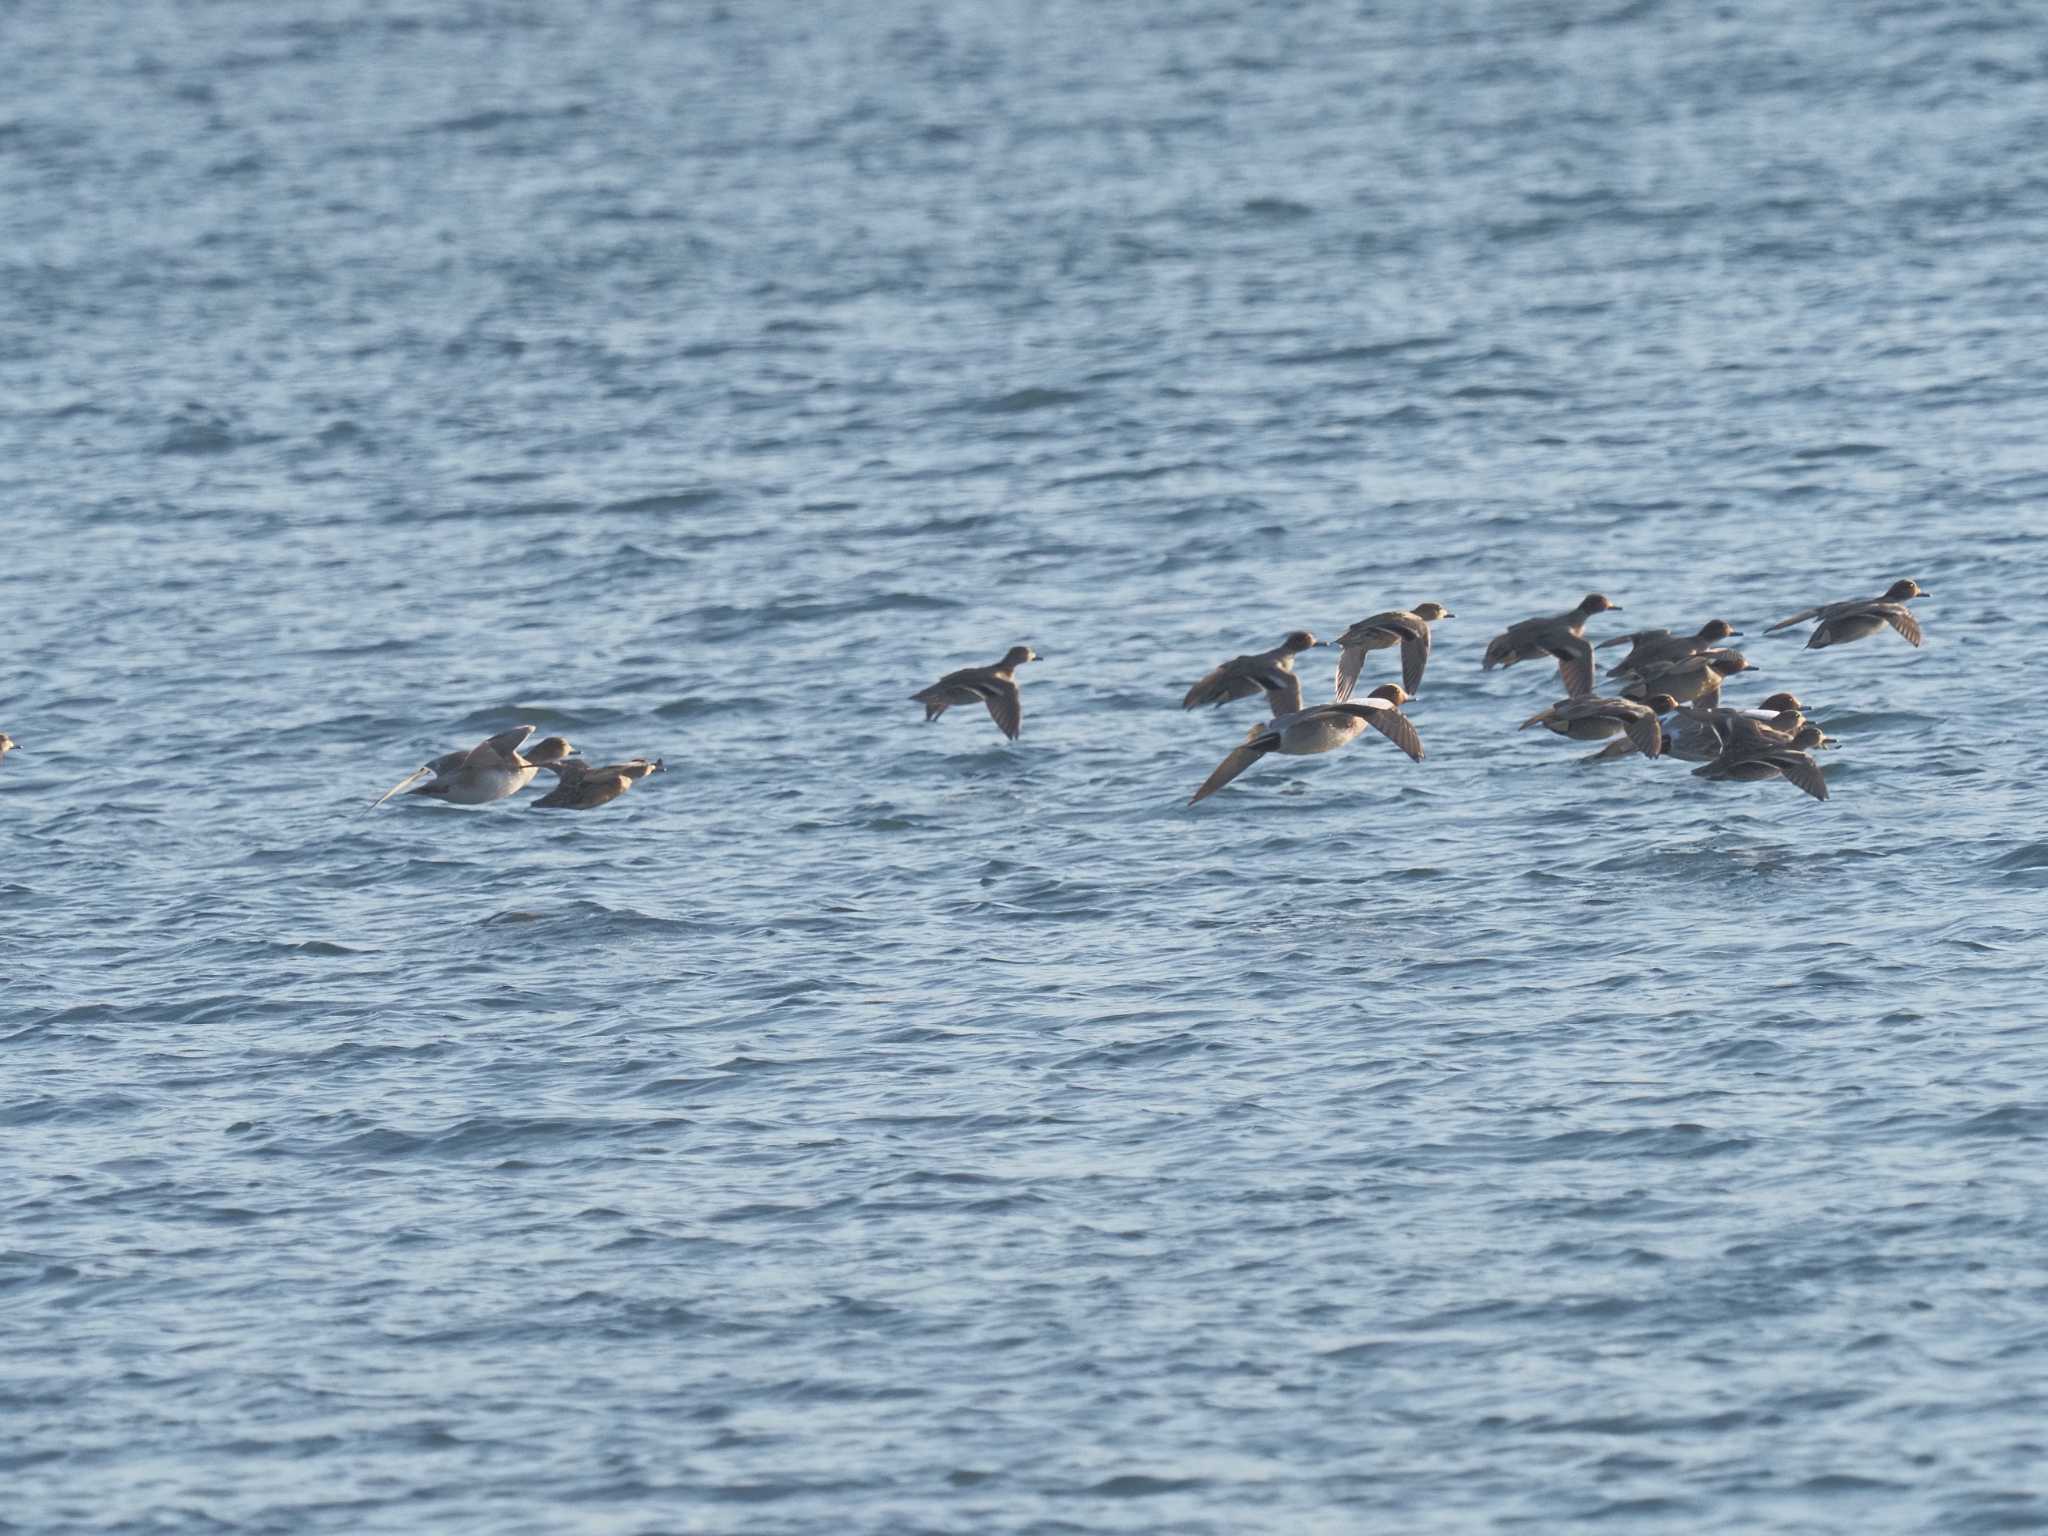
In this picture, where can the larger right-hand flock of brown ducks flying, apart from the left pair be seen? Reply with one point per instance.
(1666, 706)
